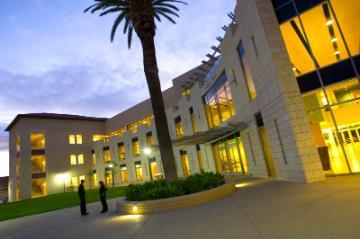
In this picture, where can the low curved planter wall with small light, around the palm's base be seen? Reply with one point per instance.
(153, 206)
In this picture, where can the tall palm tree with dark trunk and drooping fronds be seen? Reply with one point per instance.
(139, 16)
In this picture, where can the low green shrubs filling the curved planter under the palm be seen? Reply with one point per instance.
(161, 189)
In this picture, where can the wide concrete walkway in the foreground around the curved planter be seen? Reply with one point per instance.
(260, 209)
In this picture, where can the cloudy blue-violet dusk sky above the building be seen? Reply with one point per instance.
(54, 58)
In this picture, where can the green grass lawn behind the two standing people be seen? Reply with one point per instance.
(52, 203)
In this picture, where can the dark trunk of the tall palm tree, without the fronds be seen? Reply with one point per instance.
(157, 102)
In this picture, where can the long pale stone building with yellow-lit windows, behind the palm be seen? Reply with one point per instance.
(279, 97)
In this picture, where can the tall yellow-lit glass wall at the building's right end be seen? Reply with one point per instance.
(323, 46)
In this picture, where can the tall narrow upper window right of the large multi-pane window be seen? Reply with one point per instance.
(245, 66)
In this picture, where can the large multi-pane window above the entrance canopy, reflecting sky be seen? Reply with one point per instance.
(219, 104)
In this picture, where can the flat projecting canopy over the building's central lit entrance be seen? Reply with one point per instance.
(210, 135)
